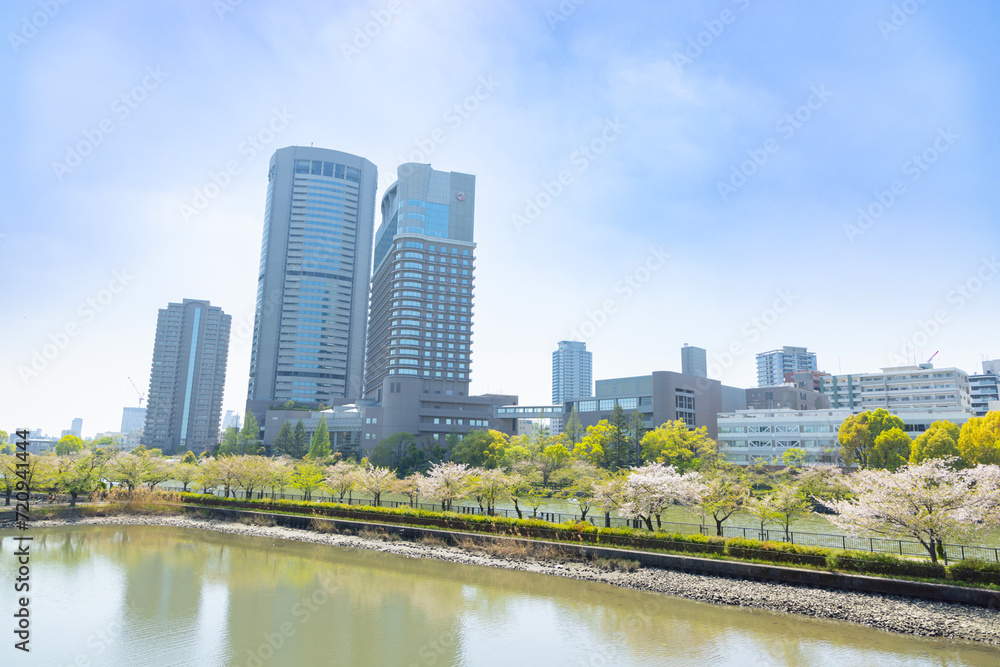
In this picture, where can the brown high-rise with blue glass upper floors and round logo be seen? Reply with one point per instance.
(422, 282)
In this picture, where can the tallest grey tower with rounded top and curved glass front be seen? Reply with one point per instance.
(312, 291)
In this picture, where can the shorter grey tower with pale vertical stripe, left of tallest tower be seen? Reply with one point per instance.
(188, 377)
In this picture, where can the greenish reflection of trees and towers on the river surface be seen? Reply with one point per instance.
(361, 607)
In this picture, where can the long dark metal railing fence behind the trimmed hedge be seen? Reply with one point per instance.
(830, 541)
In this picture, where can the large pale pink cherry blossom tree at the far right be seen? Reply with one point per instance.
(929, 502)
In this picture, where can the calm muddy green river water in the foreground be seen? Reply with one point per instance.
(140, 595)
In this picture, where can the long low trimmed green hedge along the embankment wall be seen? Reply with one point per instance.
(630, 538)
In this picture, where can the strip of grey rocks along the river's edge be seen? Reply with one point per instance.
(892, 614)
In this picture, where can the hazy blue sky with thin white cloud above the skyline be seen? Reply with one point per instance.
(648, 174)
